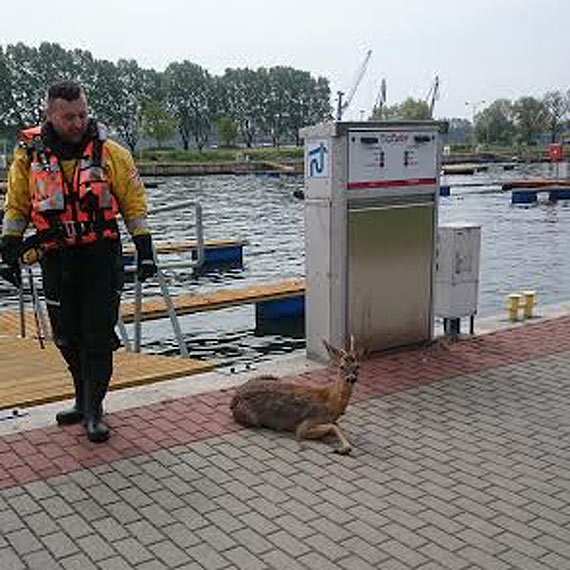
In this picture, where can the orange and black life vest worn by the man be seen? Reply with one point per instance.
(79, 211)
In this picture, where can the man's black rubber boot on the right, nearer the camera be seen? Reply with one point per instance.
(97, 370)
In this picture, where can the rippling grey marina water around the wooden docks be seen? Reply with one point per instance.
(521, 248)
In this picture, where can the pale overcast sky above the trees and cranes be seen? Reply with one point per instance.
(480, 49)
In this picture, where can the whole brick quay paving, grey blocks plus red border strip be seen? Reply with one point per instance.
(461, 460)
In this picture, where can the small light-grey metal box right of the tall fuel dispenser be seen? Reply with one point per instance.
(457, 270)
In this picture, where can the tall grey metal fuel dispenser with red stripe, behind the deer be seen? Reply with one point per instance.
(371, 193)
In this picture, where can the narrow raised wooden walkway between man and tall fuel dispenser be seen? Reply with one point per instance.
(188, 303)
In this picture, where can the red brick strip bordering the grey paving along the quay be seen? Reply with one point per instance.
(40, 453)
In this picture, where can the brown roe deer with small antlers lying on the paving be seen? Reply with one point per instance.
(308, 409)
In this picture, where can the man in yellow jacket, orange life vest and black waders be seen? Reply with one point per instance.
(70, 181)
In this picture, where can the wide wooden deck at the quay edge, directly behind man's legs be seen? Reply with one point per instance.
(32, 376)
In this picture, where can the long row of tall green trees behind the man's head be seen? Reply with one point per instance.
(272, 102)
